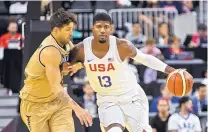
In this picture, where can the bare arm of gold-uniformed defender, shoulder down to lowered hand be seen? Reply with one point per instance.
(51, 59)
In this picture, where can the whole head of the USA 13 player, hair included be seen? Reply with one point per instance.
(102, 27)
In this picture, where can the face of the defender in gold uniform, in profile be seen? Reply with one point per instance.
(65, 32)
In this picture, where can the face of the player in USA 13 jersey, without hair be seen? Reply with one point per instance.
(102, 30)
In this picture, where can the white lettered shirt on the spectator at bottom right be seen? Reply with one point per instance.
(180, 123)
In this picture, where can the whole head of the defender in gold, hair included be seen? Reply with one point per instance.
(62, 25)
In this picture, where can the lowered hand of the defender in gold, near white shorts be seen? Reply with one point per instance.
(83, 116)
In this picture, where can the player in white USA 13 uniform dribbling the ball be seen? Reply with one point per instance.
(121, 101)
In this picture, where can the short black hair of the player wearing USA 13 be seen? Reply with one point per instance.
(102, 17)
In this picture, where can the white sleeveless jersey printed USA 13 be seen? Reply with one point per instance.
(108, 75)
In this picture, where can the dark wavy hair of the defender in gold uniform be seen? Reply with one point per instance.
(61, 17)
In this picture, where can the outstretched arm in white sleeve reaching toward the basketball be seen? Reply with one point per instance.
(145, 59)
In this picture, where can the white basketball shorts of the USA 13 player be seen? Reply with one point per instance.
(131, 110)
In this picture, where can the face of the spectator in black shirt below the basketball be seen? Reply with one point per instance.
(162, 105)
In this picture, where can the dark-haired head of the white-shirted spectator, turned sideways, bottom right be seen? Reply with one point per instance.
(185, 103)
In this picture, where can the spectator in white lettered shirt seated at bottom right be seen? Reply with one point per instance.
(184, 121)
